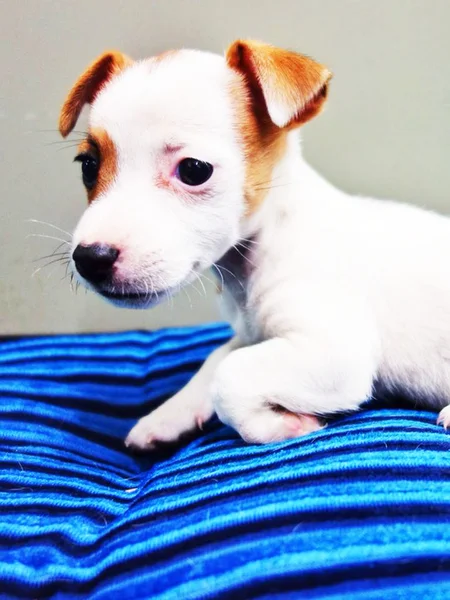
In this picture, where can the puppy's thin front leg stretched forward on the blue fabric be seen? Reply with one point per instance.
(184, 412)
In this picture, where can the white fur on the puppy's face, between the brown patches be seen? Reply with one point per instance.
(166, 239)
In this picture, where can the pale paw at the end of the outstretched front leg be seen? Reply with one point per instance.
(168, 423)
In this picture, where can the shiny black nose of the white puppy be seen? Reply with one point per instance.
(95, 262)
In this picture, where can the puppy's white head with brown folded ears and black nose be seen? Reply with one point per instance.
(179, 152)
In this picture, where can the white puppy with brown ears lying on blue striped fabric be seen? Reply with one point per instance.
(192, 161)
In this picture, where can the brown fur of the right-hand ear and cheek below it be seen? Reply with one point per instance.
(265, 73)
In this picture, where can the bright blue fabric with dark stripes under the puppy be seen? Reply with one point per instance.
(358, 510)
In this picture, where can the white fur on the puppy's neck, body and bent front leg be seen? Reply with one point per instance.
(346, 291)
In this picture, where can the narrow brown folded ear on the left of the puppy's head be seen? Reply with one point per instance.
(87, 87)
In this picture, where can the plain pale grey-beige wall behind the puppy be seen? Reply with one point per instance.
(385, 131)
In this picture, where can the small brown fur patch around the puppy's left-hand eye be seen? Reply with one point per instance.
(100, 145)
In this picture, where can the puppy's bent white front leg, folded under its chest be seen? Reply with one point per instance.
(271, 391)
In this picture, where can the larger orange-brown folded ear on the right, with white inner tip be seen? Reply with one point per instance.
(291, 88)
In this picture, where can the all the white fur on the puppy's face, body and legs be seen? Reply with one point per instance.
(342, 291)
